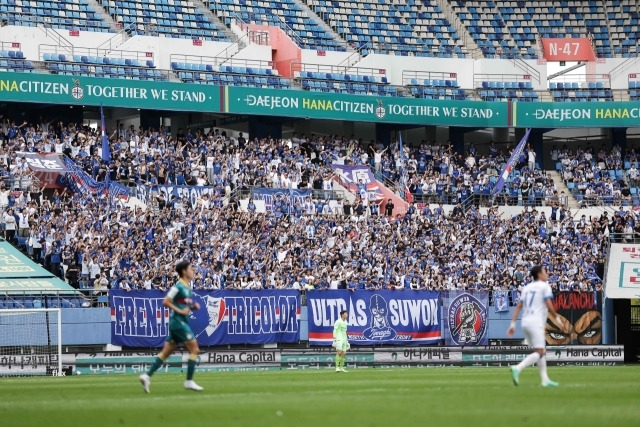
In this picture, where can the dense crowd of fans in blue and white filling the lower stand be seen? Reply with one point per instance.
(99, 243)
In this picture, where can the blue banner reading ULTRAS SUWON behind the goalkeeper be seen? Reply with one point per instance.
(376, 317)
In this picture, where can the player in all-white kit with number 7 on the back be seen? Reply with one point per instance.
(535, 304)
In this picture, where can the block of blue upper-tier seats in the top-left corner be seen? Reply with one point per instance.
(62, 14)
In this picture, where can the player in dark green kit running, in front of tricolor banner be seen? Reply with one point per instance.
(180, 300)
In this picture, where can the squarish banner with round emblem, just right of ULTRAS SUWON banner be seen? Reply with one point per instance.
(465, 317)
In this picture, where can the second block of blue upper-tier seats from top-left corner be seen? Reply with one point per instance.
(166, 18)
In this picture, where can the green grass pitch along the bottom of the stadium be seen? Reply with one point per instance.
(592, 396)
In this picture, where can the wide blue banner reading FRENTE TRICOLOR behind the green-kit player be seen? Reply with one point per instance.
(138, 318)
